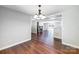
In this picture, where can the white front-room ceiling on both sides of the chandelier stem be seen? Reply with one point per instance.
(32, 9)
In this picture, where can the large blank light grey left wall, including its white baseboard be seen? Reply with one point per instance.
(15, 27)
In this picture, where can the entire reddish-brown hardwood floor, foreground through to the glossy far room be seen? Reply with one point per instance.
(41, 44)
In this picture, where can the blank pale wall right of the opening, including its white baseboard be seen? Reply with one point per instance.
(71, 27)
